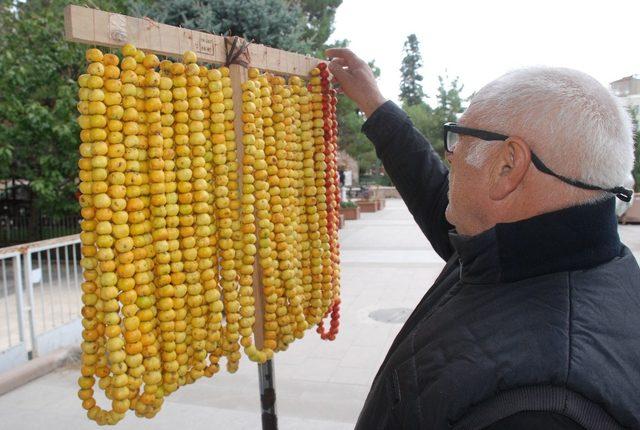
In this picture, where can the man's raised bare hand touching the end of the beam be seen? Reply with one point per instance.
(356, 79)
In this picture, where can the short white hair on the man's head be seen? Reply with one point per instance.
(576, 126)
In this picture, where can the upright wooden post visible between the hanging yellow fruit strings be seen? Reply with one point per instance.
(238, 75)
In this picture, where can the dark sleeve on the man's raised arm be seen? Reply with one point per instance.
(416, 170)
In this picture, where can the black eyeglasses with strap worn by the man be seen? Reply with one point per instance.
(452, 131)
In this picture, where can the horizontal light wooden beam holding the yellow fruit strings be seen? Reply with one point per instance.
(97, 27)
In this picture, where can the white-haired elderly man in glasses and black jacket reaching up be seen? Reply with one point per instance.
(534, 321)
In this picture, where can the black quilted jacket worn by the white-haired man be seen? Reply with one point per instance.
(532, 324)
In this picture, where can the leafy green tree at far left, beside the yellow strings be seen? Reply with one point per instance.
(38, 132)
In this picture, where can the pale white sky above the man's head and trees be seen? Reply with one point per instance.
(483, 39)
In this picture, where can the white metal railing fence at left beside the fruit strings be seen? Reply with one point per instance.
(48, 316)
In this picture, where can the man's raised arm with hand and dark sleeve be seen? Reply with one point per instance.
(408, 158)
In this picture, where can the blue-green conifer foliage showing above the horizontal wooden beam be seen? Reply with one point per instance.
(277, 23)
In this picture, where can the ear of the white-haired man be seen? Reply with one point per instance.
(510, 165)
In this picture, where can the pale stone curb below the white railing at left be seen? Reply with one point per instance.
(35, 368)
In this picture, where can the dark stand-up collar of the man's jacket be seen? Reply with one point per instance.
(574, 238)
